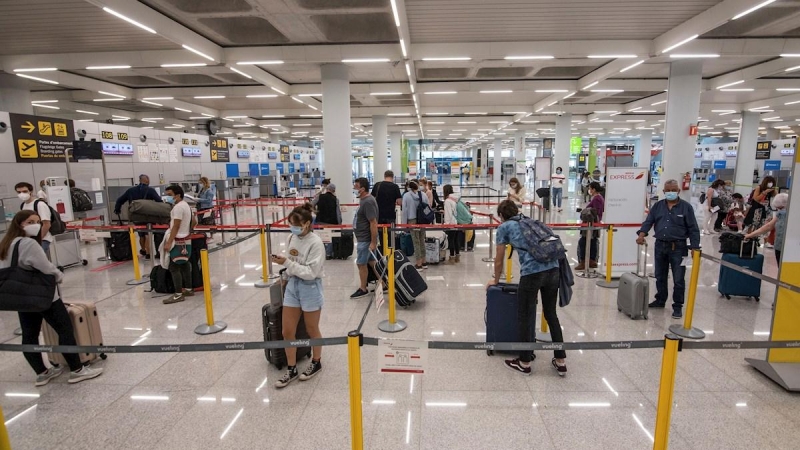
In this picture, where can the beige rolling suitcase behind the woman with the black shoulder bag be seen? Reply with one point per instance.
(86, 326)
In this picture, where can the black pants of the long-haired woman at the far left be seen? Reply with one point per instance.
(58, 318)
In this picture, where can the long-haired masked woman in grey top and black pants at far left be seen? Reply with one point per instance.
(23, 234)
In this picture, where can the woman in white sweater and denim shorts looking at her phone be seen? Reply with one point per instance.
(303, 295)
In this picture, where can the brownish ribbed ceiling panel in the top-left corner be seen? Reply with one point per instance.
(68, 26)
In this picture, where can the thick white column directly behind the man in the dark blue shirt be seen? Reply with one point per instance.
(683, 107)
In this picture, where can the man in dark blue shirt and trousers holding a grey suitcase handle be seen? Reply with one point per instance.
(674, 222)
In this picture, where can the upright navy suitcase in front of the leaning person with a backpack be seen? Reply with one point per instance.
(501, 315)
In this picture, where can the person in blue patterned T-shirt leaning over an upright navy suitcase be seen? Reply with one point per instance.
(535, 277)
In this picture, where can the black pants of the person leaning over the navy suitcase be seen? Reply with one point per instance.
(529, 288)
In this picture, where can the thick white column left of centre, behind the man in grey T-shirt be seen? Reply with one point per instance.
(336, 125)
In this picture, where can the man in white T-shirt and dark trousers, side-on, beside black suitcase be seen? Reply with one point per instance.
(178, 244)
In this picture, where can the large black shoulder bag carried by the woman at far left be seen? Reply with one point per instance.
(24, 290)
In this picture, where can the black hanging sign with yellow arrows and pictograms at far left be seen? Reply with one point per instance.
(40, 139)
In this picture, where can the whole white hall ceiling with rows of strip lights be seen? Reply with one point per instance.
(71, 35)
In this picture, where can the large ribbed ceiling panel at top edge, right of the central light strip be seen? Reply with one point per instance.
(432, 21)
